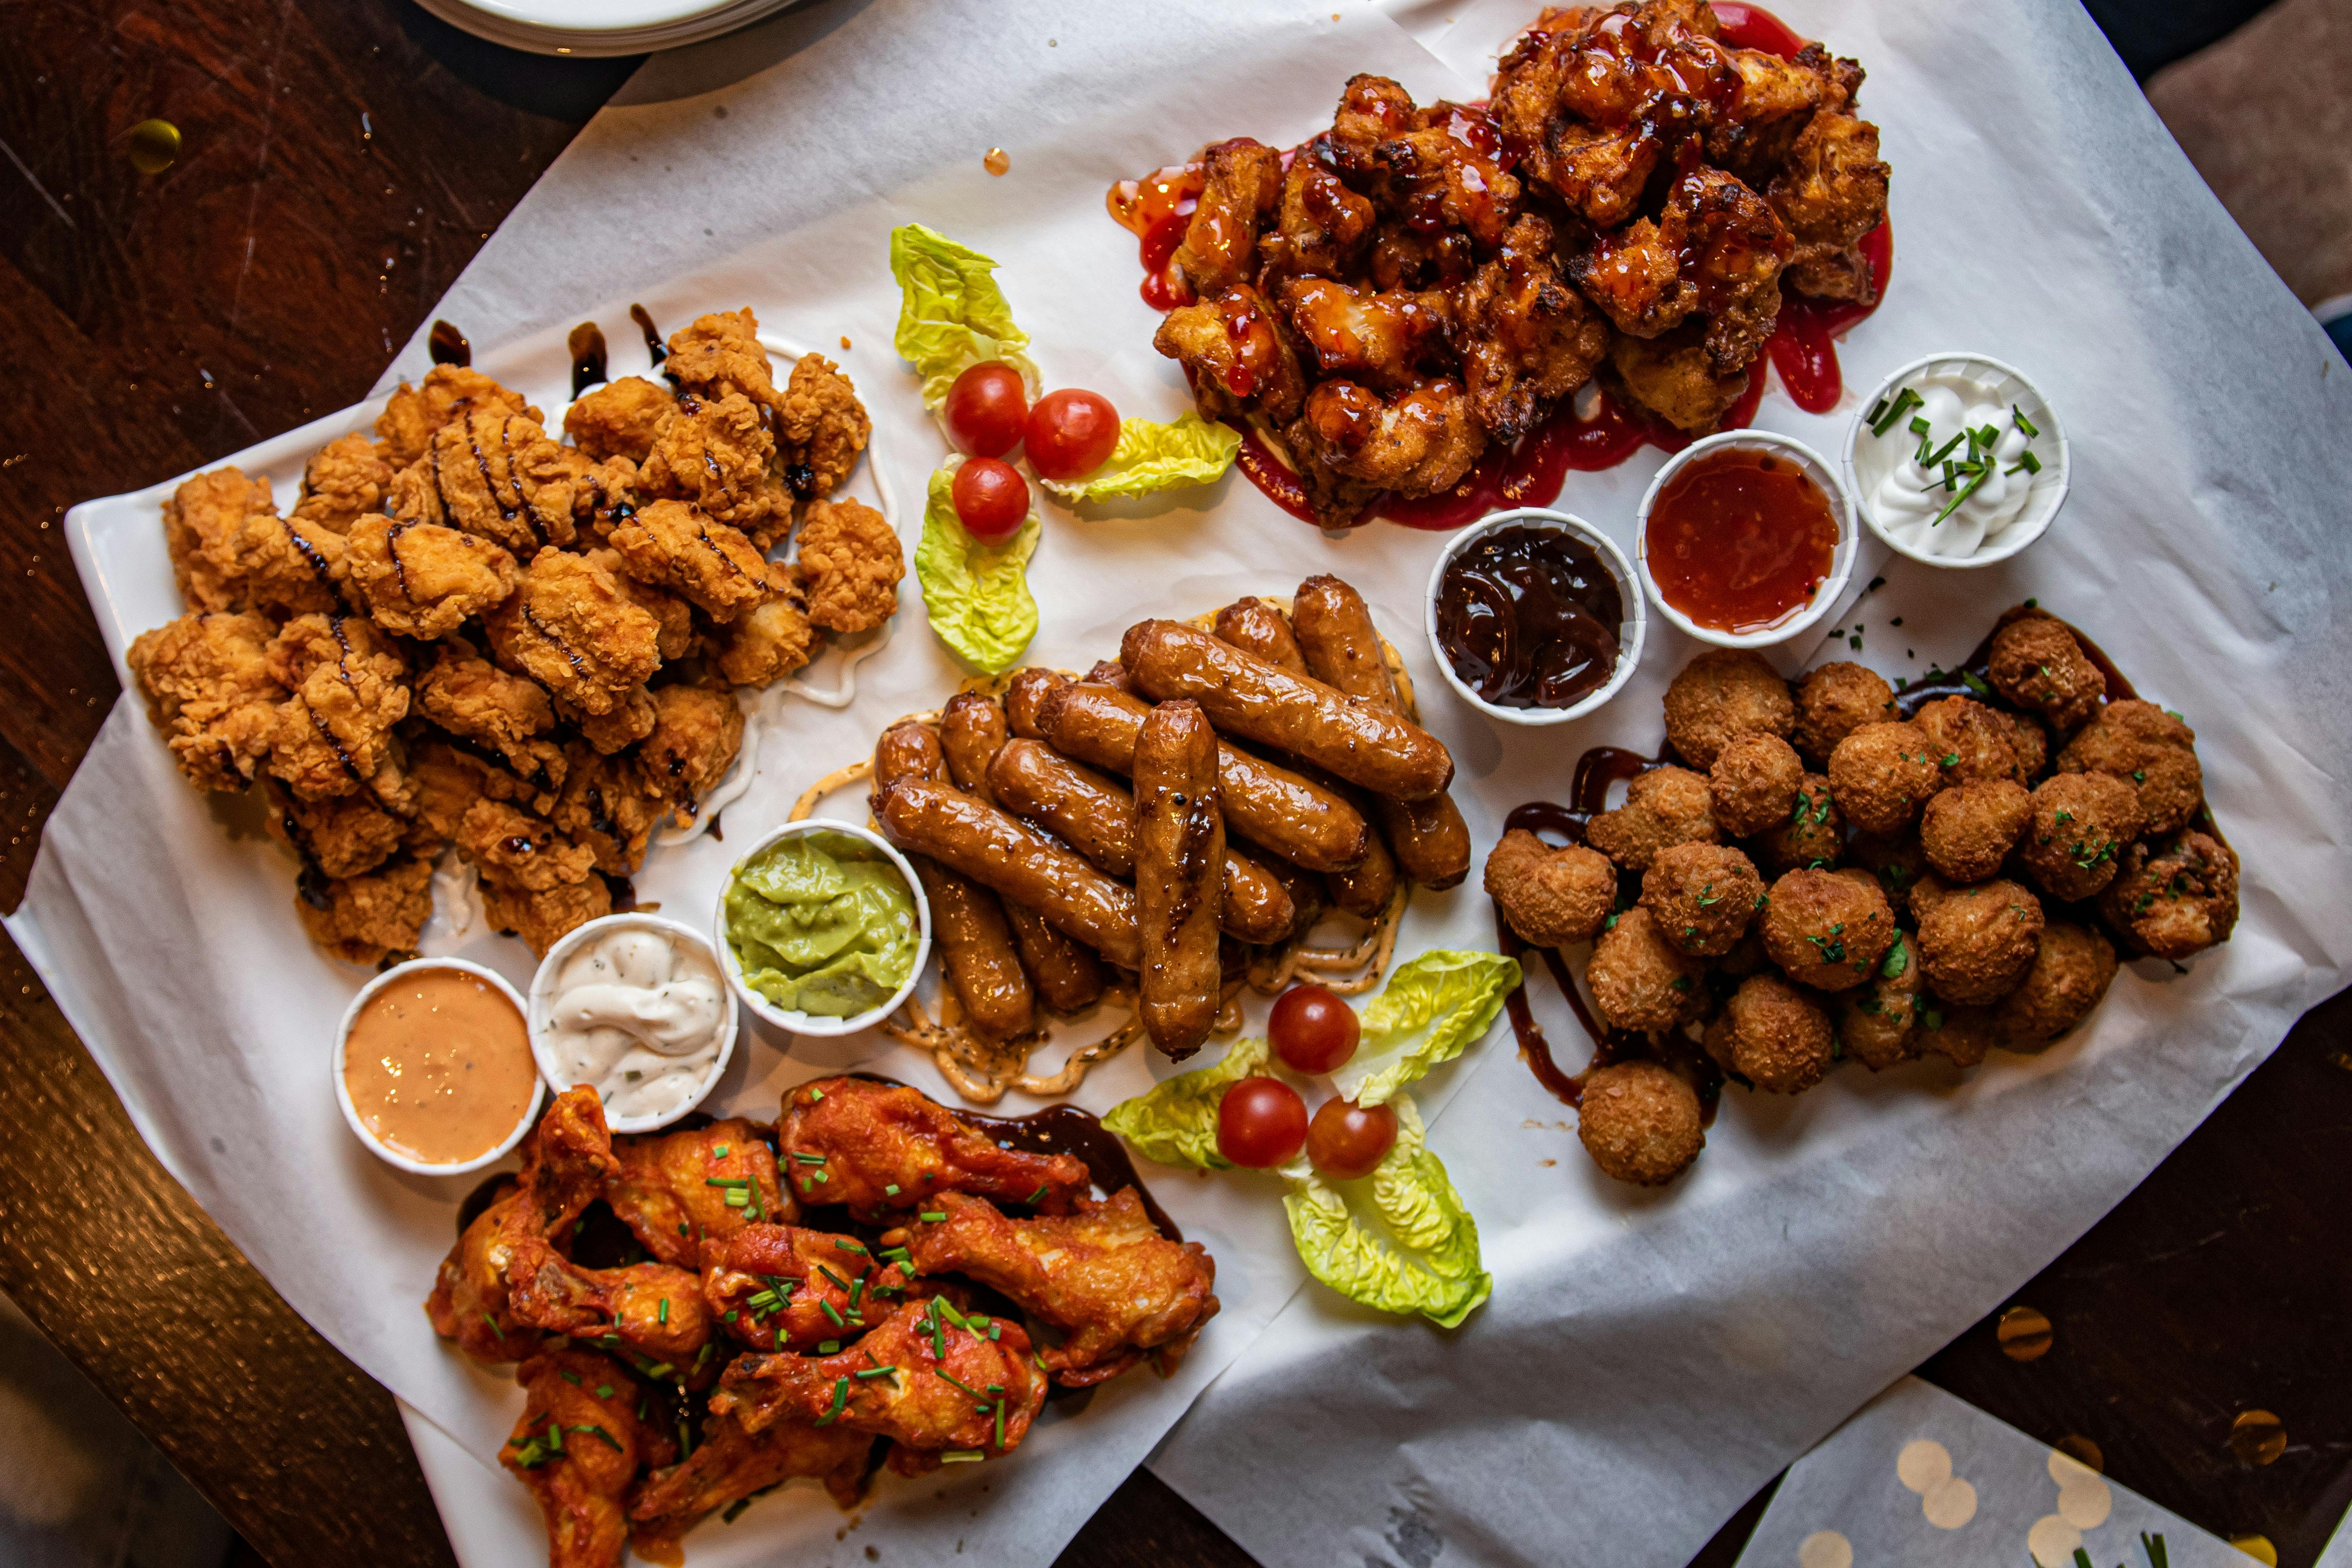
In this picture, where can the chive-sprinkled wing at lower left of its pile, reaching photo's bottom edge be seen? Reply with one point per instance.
(580, 1447)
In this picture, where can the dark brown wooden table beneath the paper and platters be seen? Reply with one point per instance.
(340, 166)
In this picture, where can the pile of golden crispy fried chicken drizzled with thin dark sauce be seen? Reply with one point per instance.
(474, 634)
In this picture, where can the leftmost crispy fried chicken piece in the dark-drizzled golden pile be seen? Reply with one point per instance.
(211, 692)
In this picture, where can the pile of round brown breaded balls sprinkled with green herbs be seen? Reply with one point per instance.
(1944, 883)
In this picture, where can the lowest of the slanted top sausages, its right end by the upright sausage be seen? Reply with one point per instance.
(1015, 859)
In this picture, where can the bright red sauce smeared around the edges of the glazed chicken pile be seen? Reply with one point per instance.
(1803, 349)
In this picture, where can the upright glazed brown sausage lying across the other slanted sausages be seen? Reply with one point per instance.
(1180, 857)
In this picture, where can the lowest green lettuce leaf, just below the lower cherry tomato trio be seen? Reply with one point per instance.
(1401, 1240)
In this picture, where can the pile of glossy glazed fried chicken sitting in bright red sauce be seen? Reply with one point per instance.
(1419, 283)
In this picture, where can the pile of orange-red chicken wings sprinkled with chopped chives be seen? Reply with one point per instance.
(914, 1325)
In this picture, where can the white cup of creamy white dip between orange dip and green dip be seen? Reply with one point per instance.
(639, 1010)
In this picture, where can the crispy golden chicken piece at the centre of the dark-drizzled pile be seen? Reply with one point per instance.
(570, 629)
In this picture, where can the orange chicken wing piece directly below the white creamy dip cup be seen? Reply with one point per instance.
(683, 1191)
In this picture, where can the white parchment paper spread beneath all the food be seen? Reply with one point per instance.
(1648, 1360)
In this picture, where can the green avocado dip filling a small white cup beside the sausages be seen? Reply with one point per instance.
(822, 925)
